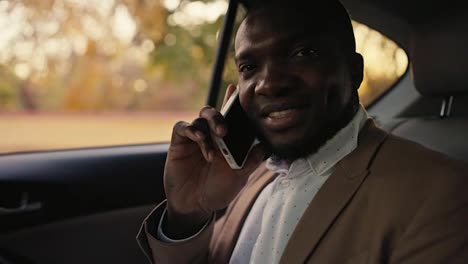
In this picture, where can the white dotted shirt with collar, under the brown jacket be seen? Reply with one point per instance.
(280, 205)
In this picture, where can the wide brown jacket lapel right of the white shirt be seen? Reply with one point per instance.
(333, 196)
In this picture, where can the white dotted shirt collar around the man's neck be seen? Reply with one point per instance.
(336, 148)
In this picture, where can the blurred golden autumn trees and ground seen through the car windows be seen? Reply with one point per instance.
(85, 73)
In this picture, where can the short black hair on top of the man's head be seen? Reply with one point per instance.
(332, 16)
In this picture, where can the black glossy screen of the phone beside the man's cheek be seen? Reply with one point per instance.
(241, 132)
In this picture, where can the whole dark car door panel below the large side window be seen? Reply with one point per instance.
(87, 204)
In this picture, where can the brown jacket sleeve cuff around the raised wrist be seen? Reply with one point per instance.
(194, 250)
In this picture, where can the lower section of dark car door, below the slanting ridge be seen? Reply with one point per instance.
(100, 238)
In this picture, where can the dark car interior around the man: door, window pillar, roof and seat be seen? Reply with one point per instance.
(86, 205)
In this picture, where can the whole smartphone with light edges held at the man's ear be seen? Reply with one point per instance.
(240, 137)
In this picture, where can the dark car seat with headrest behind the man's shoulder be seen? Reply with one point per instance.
(439, 52)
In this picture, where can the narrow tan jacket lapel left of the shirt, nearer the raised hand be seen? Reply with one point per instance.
(229, 231)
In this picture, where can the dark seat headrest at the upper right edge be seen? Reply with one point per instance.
(440, 57)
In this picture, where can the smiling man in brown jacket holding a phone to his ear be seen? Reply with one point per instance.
(335, 189)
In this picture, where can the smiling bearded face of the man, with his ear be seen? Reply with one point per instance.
(295, 82)
